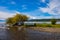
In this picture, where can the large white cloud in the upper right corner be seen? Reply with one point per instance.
(52, 8)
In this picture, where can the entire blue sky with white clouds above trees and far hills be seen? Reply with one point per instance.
(35, 9)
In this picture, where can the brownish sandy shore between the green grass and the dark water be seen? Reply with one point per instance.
(46, 29)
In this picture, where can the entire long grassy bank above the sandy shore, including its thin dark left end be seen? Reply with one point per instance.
(44, 25)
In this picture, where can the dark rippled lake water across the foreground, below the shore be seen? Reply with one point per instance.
(27, 35)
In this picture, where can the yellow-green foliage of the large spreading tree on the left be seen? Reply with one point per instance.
(16, 18)
